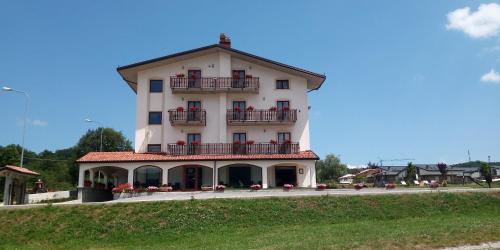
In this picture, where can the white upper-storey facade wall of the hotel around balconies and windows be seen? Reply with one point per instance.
(216, 104)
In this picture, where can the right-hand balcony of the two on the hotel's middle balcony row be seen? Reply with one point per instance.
(261, 117)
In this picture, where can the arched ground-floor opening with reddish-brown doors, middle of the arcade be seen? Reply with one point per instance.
(190, 177)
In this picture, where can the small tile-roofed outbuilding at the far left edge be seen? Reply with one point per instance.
(15, 184)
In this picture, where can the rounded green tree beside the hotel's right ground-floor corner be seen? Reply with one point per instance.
(330, 169)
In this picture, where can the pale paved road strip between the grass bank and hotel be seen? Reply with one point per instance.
(246, 194)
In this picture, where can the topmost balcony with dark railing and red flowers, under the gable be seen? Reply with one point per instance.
(214, 84)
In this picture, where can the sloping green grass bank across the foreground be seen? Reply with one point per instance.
(368, 222)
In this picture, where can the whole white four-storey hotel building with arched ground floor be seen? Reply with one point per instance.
(213, 115)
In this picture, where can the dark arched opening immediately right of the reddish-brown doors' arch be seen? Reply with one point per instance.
(240, 175)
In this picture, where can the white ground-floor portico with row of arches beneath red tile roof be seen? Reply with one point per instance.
(193, 175)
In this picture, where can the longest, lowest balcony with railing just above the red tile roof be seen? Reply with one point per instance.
(233, 149)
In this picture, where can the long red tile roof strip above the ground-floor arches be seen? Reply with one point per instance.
(94, 157)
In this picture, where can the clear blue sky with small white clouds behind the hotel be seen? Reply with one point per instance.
(404, 79)
